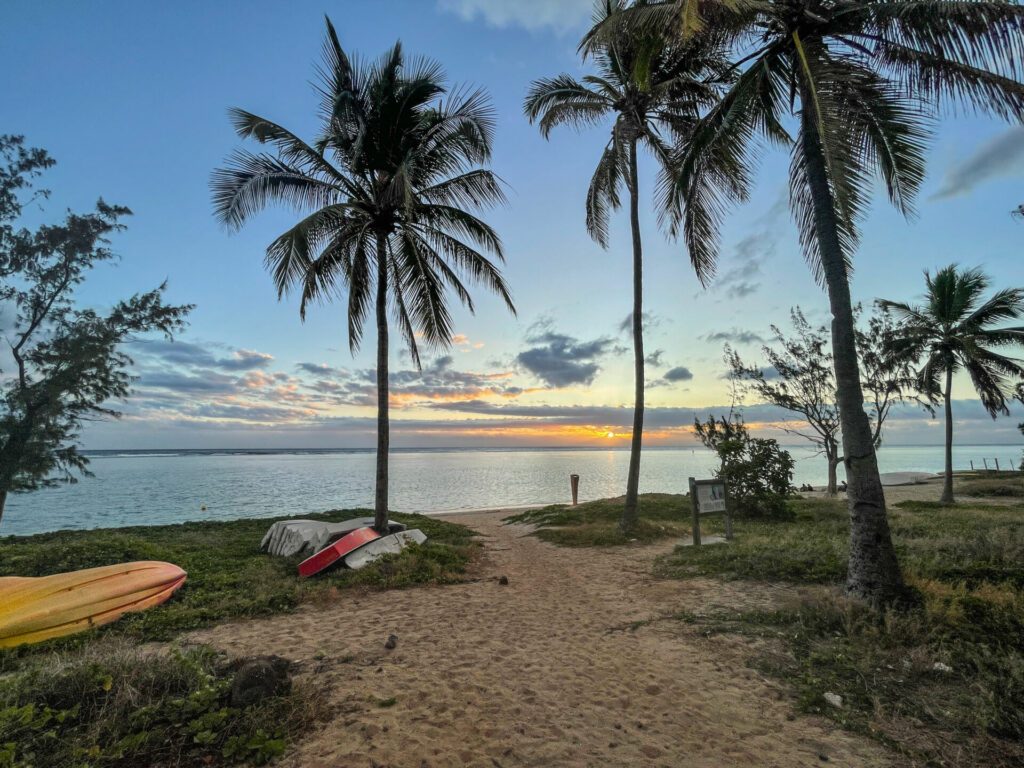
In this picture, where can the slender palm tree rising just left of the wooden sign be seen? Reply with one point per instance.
(655, 89)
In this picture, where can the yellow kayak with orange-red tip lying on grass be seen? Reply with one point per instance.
(39, 609)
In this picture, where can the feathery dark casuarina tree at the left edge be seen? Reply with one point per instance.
(68, 364)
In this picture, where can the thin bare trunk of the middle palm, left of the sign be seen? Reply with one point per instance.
(631, 513)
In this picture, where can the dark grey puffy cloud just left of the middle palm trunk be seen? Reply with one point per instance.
(562, 361)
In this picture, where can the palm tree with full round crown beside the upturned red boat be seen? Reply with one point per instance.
(387, 188)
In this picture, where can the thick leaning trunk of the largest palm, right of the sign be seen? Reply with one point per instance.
(874, 572)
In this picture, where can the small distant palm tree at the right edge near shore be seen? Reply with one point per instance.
(957, 330)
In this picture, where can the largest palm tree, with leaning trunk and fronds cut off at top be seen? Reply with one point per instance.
(864, 81)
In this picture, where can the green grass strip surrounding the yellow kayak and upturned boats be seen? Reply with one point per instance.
(229, 577)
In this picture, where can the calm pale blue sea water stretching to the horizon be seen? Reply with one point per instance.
(157, 488)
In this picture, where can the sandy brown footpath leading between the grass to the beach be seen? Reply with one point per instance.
(537, 674)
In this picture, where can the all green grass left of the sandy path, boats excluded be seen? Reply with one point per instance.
(104, 699)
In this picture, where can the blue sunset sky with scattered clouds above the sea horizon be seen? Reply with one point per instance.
(132, 100)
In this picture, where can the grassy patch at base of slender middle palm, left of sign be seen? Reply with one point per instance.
(596, 524)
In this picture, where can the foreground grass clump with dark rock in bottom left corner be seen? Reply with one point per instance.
(116, 705)
